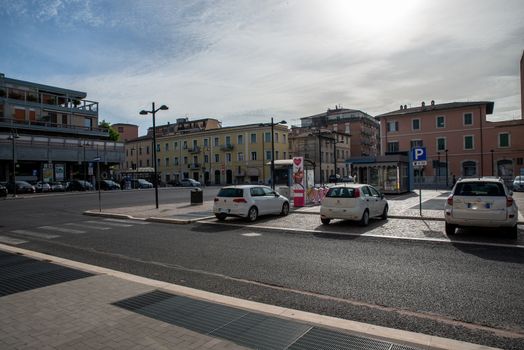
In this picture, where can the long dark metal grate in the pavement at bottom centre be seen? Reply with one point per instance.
(245, 328)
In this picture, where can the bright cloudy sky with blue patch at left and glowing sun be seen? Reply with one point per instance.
(247, 61)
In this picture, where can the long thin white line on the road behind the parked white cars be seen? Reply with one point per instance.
(422, 239)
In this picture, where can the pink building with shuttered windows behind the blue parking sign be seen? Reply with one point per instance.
(459, 140)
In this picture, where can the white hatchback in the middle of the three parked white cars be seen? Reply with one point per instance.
(356, 202)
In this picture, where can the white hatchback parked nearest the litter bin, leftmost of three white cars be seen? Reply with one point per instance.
(249, 201)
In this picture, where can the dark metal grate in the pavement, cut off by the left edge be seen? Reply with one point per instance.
(19, 274)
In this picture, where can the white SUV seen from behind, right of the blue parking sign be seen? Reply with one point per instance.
(481, 202)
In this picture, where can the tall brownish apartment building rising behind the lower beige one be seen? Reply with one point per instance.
(363, 128)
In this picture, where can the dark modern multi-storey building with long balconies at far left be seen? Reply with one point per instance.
(50, 133)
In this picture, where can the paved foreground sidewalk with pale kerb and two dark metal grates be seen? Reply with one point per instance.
(105, 309)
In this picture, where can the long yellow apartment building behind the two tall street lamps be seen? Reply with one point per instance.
(207, 152)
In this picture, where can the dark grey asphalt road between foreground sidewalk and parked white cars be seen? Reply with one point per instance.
(466, 292)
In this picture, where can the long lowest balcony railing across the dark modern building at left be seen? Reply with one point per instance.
(51, 127)
